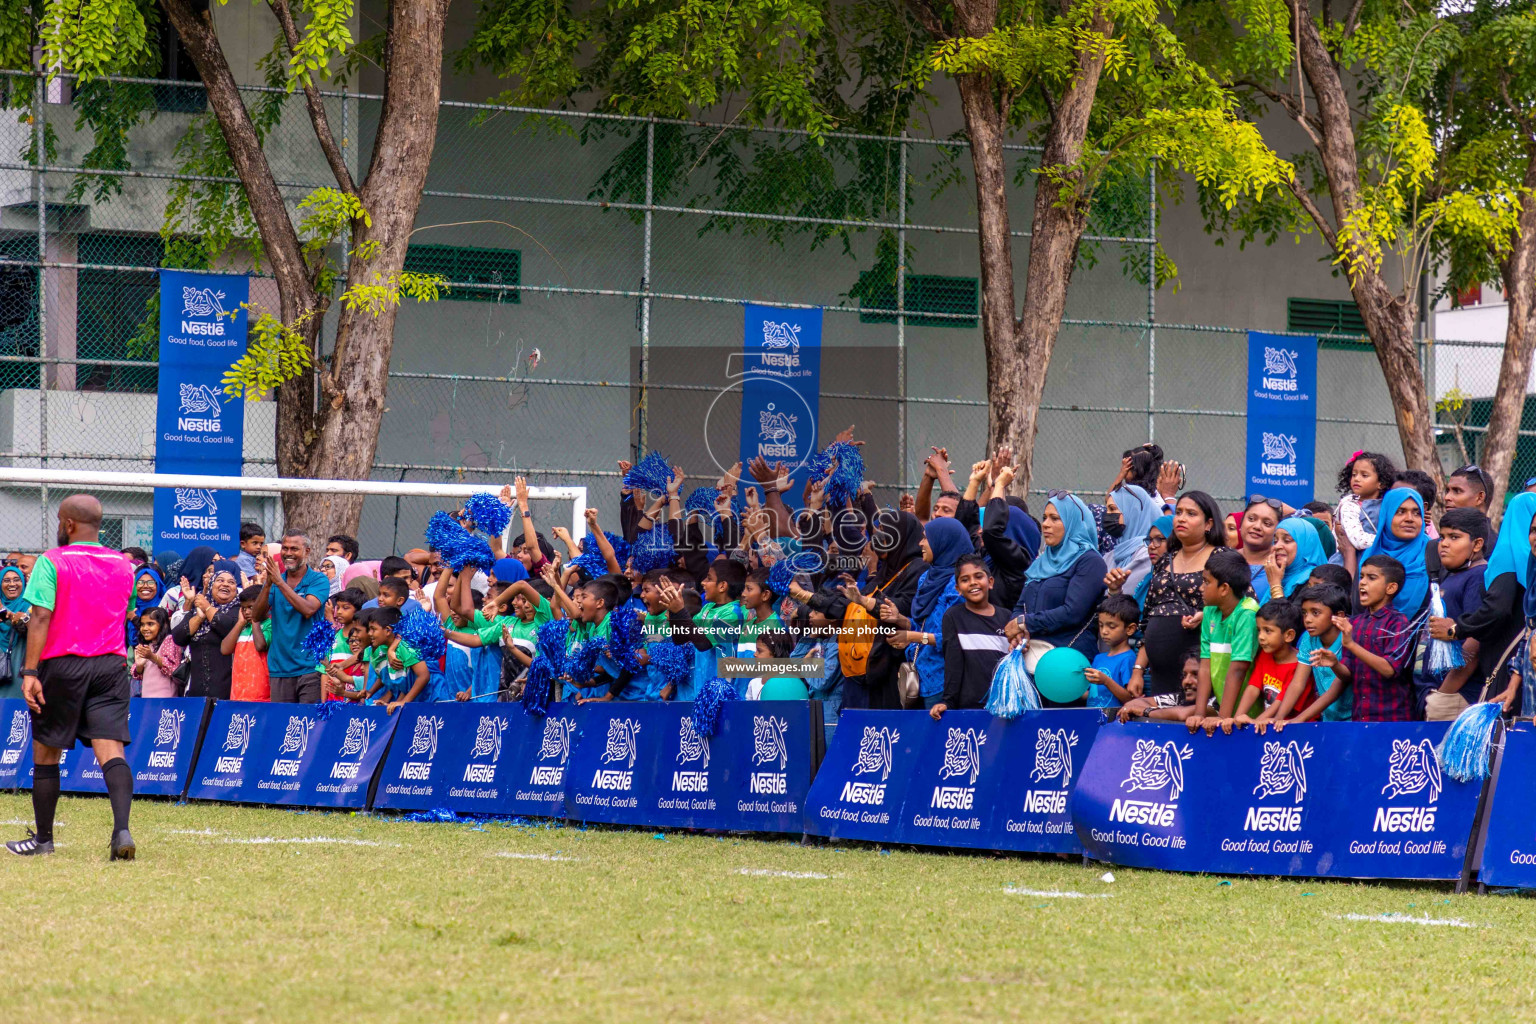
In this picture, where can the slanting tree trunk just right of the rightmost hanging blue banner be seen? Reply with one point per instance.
(1389, 317)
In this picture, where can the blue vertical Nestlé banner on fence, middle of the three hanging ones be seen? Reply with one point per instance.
(781, 386)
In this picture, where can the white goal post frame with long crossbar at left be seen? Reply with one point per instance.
(88, 480)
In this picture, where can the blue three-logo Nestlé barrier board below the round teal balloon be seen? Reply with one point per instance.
(968, 781)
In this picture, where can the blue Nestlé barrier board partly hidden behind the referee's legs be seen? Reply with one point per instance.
(164, 745)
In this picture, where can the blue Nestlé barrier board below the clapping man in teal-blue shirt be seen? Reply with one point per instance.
(310, 756)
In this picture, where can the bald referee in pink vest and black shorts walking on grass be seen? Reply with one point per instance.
(76, 678)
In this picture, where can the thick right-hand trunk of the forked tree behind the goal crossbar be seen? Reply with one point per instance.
(343, 438)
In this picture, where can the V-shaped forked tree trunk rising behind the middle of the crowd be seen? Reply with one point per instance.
(1019, 351)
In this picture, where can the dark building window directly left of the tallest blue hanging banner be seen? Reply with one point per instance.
(111, 306)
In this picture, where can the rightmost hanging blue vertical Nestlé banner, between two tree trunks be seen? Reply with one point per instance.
(1282, 417)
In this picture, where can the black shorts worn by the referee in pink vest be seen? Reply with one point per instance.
(84, 699)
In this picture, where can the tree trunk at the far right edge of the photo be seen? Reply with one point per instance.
(1520, 340)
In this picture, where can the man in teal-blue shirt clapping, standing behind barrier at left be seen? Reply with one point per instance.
(302, 595)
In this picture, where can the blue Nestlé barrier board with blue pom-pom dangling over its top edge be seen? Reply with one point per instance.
(643, 764)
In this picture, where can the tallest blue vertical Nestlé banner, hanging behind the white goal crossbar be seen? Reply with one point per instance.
(199, 429)
